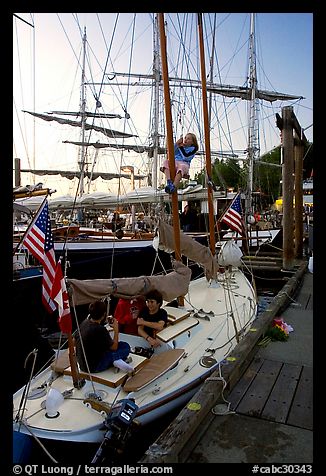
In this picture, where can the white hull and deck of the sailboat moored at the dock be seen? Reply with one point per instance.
(215, 310)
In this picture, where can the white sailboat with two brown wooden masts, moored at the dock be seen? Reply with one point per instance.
(214, 313)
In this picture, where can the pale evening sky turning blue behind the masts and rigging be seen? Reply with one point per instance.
(47, 68)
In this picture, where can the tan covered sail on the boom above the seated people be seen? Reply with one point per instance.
(171, 286)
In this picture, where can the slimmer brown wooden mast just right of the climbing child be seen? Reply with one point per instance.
(206, 135)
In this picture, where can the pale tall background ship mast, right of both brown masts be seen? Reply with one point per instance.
(253, 143)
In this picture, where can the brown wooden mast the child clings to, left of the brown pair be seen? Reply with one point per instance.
(170, 143)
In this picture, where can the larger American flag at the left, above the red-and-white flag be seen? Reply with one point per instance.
(39, 241)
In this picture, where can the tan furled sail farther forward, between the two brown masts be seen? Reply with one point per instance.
(188, 247)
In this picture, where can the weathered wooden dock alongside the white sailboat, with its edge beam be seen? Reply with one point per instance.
(261, 408)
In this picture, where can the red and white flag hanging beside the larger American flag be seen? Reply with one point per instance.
(59, 294)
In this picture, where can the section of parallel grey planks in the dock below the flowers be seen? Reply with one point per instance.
(275, 391)
